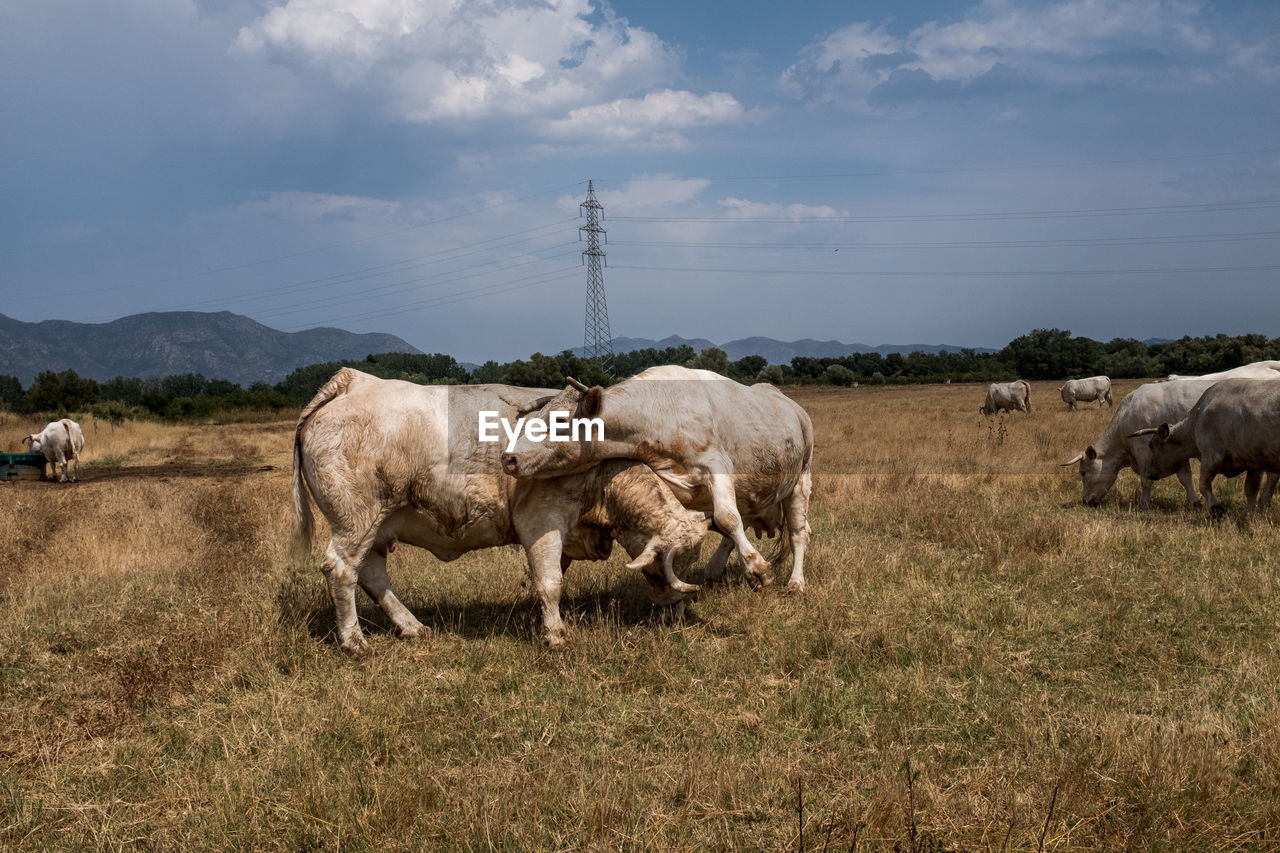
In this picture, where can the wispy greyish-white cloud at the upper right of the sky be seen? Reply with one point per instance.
(1000, 47)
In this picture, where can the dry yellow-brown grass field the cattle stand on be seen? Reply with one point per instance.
(981, 663)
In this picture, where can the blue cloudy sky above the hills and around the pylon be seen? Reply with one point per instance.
(881, 172)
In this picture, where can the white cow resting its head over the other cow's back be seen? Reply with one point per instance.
(740, 453)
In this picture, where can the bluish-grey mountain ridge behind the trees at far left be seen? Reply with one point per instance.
(220, 346)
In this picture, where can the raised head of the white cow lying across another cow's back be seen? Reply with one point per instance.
(547, 458)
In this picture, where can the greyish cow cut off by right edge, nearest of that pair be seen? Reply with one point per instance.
(1235, 427)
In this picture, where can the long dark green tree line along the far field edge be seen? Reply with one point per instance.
(1043, 354)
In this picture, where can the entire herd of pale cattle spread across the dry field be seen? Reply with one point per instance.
(683, 453)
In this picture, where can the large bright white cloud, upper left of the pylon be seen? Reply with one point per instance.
(449, 61)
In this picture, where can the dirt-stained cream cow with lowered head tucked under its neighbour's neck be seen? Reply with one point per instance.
(391, 462)
